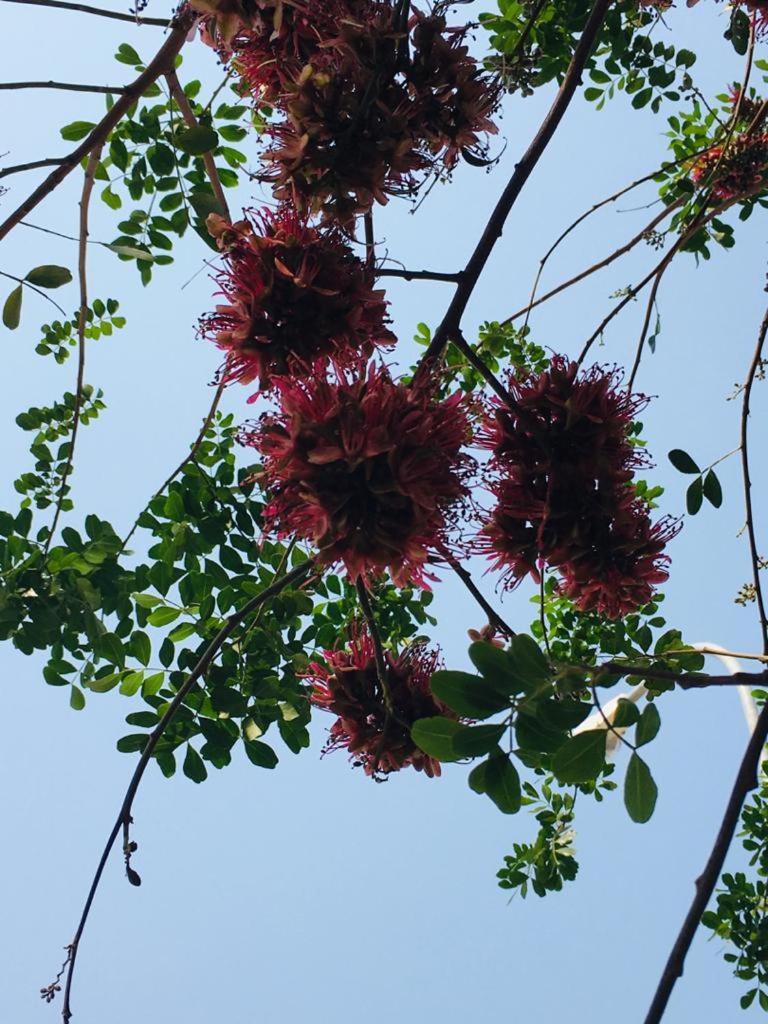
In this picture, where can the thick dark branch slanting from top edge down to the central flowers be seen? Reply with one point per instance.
(452, 321)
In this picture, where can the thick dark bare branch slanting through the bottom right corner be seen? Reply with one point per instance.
(747, 781)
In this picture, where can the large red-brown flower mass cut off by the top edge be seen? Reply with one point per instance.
(368, 105)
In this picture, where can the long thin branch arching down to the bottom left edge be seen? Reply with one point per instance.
(125, 814)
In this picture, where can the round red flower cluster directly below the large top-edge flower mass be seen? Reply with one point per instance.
(294, 296)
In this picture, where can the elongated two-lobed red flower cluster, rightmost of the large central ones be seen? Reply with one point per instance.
(564, 464)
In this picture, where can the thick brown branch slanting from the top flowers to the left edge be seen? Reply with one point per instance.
(161, 64)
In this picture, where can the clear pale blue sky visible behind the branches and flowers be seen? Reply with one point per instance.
(311, 893)
